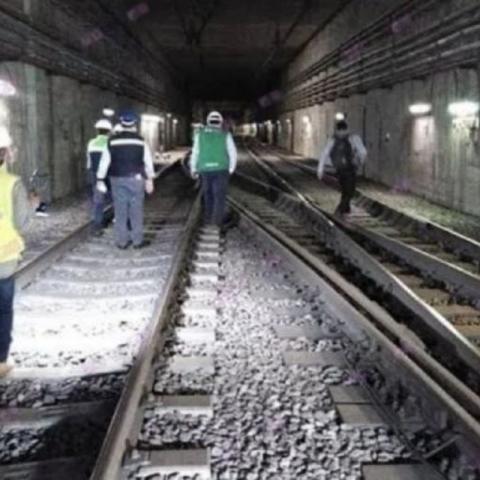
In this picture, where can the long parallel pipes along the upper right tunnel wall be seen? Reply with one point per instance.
(445, 46)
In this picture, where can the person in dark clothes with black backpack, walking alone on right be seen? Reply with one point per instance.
(346, 153)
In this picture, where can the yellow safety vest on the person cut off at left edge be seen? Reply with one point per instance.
(11, 243)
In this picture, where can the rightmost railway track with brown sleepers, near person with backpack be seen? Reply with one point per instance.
(444, 296)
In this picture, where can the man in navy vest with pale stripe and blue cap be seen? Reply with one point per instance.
(128, 162)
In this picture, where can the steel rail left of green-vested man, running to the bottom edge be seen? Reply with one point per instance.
(125, 426)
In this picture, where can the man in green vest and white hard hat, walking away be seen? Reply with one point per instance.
(214, 158)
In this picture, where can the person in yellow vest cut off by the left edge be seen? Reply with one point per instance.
(15, 210)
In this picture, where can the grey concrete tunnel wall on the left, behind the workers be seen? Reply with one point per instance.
(51, 118)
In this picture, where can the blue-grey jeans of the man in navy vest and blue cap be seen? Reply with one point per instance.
(128, 201)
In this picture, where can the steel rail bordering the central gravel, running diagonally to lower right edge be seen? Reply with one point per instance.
(402, 353)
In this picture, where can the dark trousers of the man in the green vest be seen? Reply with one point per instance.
(214, 189)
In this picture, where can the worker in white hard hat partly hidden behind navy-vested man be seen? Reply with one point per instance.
(95, 149)
